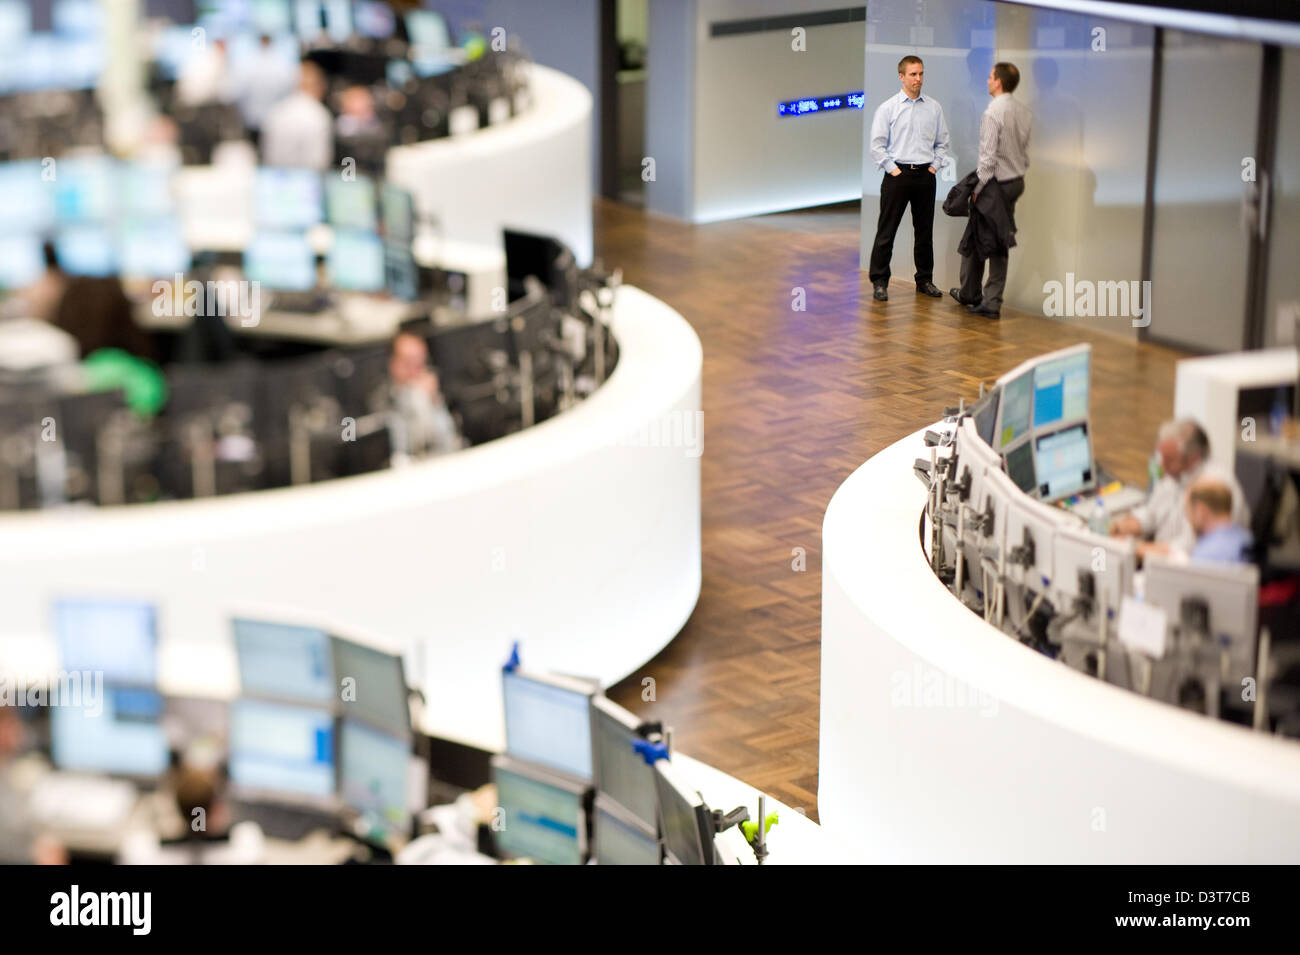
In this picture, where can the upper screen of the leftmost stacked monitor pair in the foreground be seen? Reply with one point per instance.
(112, 636)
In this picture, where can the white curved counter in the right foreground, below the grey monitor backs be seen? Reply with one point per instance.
(944, 741)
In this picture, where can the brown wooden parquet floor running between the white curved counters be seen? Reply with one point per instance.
(794, 403)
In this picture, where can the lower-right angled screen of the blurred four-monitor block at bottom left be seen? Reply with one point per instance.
(374, 769)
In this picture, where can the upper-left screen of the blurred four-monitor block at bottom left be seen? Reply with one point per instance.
(284, 662)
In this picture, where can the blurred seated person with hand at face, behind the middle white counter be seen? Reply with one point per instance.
(419, 422)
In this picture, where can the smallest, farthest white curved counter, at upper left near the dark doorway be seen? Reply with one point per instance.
(532, 172)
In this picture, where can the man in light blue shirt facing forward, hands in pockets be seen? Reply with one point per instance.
(909, 144)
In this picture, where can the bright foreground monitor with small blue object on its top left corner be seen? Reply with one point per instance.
(549, 722)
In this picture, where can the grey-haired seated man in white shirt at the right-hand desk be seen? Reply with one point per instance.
(1184, 452)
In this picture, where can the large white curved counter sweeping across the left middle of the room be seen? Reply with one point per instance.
(579, 537)
